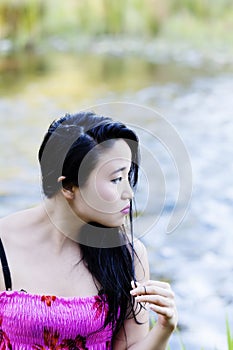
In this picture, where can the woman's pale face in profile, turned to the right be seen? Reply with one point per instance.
(106, 196)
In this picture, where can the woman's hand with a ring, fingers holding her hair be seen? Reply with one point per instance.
(161, 299)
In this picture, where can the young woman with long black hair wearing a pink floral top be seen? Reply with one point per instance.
(72, 275)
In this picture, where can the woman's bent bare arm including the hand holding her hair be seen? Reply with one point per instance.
(158, 297)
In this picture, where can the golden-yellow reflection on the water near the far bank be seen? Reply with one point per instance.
(86, 75)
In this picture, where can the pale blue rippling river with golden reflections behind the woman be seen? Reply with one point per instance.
(193, 93)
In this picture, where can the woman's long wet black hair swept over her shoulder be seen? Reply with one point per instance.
(62, 151)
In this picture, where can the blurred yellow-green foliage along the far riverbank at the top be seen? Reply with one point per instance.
(26, 22)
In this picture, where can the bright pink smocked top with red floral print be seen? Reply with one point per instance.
(29, 321)
